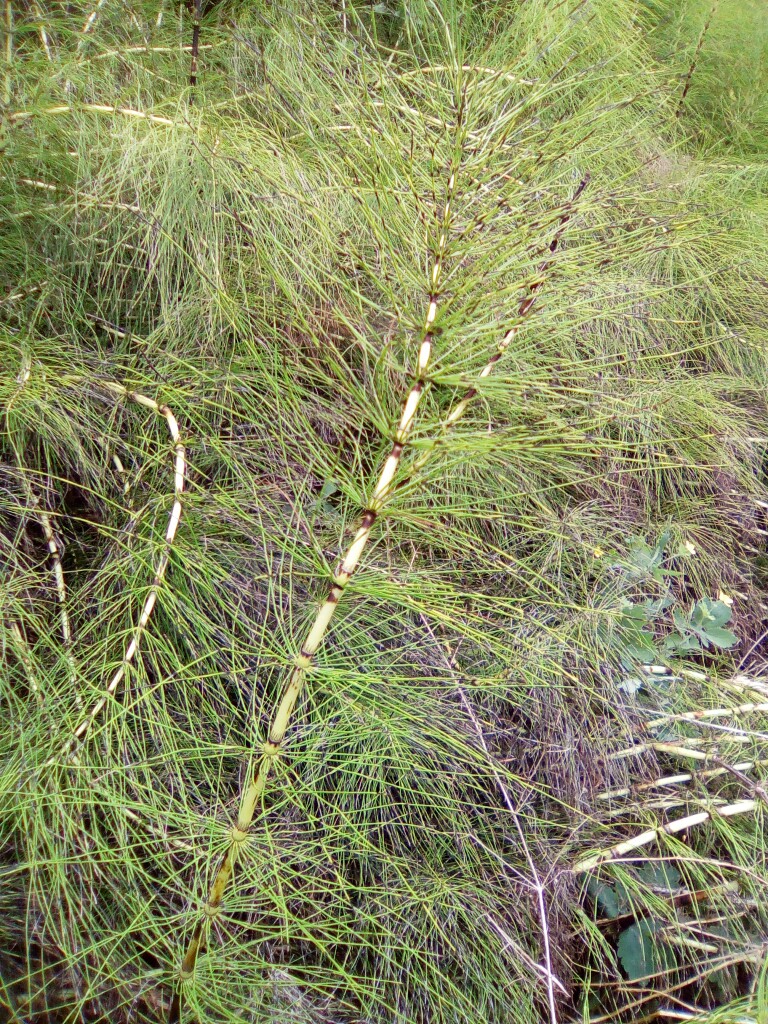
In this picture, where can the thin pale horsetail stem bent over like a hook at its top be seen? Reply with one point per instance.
(160, 571)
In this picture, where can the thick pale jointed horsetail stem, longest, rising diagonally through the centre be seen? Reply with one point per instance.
(253, 792)
